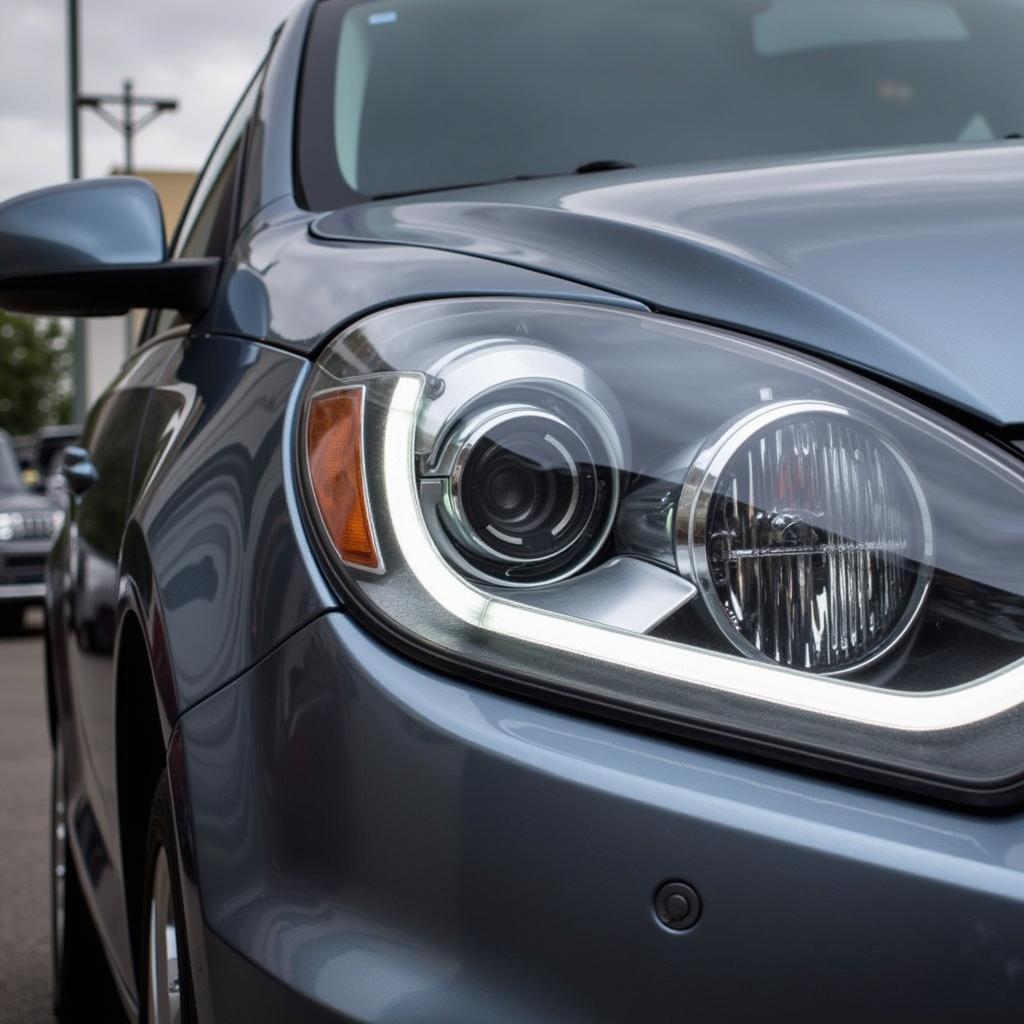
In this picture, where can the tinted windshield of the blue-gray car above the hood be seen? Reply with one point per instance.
(415, 96)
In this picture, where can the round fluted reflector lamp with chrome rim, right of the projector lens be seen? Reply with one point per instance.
(810, 539)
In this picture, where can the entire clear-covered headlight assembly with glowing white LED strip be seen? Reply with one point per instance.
(679, 527)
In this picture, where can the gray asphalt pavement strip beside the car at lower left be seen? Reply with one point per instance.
(25, 781)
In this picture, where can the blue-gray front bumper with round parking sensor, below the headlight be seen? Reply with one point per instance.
(373, 842)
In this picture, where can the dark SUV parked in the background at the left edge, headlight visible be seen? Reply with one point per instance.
(28, 525)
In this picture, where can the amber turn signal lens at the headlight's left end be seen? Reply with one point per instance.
(334, 441)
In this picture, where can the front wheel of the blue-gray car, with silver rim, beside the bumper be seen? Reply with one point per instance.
(165, 989)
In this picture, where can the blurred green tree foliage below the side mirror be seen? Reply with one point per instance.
(35, 374)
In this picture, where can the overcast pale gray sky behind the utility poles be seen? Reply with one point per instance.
(200, 52)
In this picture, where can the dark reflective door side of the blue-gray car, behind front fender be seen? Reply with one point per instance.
(83, 622)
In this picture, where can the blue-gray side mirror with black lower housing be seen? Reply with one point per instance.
(96, 249)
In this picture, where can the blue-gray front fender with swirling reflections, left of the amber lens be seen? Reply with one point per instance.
(229, 569)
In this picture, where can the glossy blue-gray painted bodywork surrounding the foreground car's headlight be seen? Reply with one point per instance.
(364, 835)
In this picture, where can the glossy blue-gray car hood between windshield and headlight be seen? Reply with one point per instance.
(911, 266)
